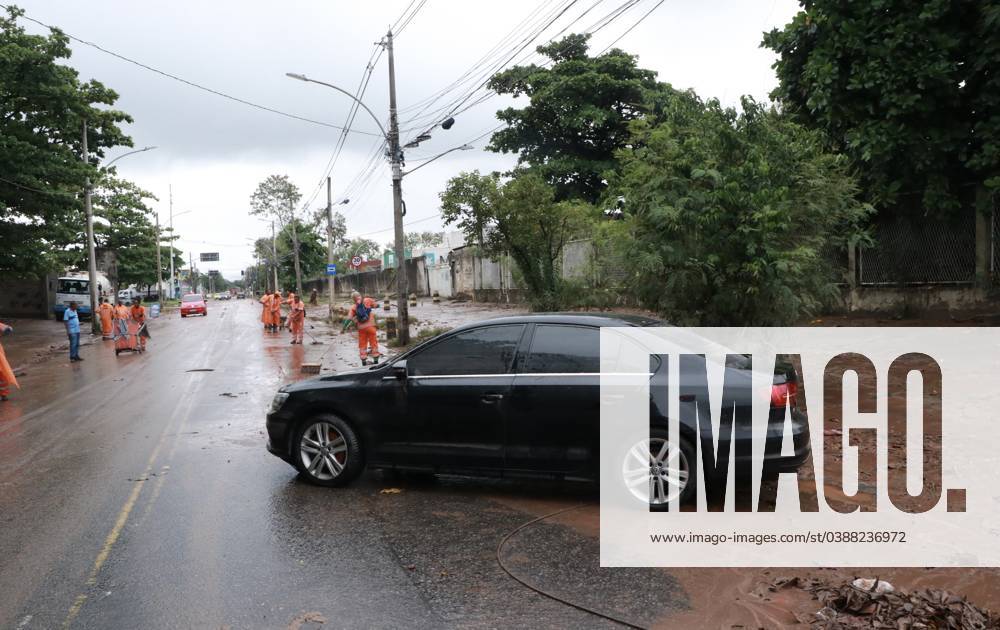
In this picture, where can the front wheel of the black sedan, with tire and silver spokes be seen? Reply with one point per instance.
(327, 451)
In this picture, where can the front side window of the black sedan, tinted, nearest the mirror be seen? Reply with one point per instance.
(487, 350)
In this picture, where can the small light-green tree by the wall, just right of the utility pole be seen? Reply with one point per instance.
(519, 216)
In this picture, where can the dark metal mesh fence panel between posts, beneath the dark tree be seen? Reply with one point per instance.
(921, 251)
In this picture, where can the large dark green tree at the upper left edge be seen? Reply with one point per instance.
(43, 105)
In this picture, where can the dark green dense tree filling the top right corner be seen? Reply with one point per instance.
(908, 89)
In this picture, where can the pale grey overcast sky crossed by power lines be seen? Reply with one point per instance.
(213, 152)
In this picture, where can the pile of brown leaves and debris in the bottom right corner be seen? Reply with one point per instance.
(874, 603)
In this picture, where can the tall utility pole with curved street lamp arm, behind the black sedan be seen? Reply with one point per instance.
(395, 157)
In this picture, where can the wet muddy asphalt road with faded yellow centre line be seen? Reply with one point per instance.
(136, 492)
